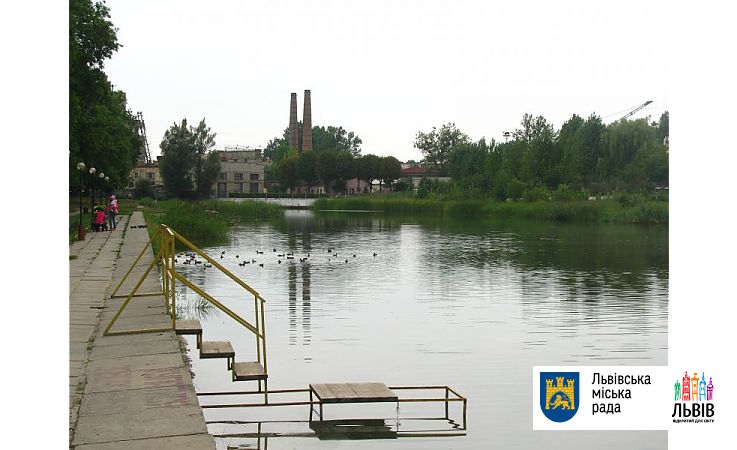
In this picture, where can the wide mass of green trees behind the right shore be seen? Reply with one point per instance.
(585, 155)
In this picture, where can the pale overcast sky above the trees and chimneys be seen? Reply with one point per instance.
(385, 69)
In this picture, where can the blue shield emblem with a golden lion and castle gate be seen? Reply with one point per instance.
(559, 395)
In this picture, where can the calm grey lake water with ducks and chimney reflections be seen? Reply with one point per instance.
(469, 304)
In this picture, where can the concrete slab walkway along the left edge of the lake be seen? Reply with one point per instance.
(132, 391)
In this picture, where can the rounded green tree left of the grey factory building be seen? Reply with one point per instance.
(188, 166)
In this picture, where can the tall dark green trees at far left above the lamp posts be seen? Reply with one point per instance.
(101, 128)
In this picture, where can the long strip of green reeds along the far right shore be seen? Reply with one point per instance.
(641, 211)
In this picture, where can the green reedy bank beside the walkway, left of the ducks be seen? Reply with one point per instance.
(205, 222)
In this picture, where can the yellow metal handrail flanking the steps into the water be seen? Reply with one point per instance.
(165, 257)
